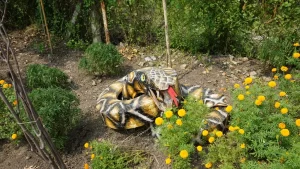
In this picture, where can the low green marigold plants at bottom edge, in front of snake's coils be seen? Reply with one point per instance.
(106, 155)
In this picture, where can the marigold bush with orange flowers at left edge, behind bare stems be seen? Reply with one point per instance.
(8, 126)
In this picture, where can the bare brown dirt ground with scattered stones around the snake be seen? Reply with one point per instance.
(216, 72)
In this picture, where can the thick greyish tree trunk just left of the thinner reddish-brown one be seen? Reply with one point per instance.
(95, 24)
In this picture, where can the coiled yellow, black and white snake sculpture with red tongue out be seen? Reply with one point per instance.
(140, 96)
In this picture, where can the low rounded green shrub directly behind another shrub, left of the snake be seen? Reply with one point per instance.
(40, 76)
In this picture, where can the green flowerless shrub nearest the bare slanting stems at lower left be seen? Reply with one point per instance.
(58, 110)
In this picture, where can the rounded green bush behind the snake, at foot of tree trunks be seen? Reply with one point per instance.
(102, 59)
